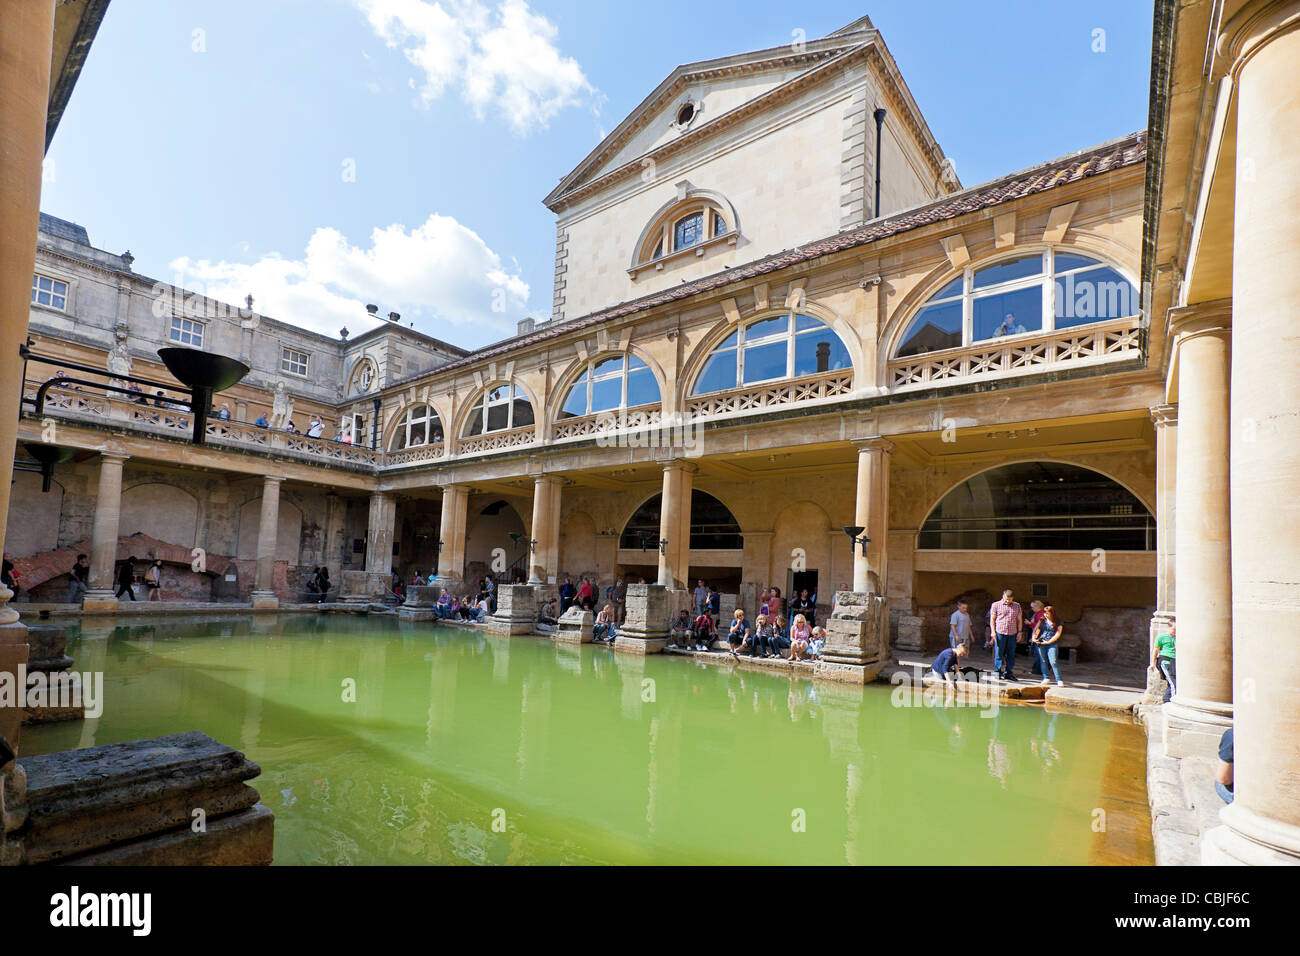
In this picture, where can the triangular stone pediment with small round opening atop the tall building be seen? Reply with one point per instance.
(707, 92)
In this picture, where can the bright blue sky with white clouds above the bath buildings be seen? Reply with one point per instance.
(323, 154)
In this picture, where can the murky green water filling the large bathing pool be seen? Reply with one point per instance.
(465, 749)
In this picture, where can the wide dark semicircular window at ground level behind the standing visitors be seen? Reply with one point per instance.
(1039, 507)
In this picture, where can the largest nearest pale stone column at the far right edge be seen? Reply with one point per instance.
(1263, 824)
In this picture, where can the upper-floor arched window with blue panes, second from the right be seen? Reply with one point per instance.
(783, 347)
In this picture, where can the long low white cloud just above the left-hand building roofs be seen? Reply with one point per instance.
(437, 274)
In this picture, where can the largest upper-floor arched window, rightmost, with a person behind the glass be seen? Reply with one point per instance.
(1029, 293)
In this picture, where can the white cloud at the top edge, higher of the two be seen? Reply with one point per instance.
(506, 60)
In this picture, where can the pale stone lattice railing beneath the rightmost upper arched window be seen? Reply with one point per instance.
(1112, 341)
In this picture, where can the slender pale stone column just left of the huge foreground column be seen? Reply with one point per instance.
(1203, 706)
